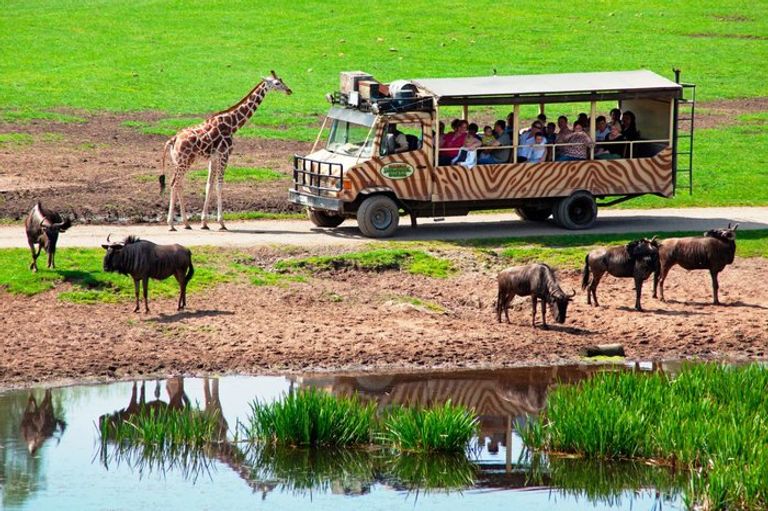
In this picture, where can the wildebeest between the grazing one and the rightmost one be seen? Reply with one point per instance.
(637, 259)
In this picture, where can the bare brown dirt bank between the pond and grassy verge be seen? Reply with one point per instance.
(357, 321)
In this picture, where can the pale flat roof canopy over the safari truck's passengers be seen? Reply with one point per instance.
(550, 88)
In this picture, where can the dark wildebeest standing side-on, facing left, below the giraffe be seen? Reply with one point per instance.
(143, 260)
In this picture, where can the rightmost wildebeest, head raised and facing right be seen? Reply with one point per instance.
(713, 251)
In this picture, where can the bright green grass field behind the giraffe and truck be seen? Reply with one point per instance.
(192, 59)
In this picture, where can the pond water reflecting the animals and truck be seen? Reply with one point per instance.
(51, 456)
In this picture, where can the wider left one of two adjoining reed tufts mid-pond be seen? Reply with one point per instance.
(311, 417)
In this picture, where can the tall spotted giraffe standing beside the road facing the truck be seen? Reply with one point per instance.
(211, 140)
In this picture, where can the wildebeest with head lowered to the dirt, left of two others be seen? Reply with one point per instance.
(538, 281)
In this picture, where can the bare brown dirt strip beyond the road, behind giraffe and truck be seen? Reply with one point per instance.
(106, 172)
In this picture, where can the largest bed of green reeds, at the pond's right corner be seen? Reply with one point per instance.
(710, 419)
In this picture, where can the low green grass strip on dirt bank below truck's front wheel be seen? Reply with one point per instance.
(413, 261)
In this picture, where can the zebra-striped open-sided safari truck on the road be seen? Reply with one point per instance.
(382, 152)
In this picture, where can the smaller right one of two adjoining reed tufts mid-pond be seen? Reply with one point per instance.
(442, 428)
